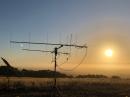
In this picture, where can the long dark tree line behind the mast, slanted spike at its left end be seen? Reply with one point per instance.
(10, 71)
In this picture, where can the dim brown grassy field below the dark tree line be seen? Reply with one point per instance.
(67, 87)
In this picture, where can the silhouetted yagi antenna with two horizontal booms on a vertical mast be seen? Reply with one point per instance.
(55, 51)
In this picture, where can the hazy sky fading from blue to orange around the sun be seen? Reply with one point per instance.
(101, 24)
